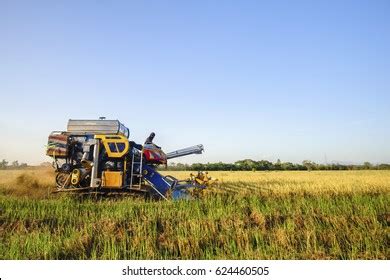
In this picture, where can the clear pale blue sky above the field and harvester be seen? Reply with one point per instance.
(293, 80)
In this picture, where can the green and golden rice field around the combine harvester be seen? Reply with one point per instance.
(251, 215)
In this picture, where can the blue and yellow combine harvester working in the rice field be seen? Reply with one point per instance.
(97, 156)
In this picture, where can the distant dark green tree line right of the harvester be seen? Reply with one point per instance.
(265, 165)
